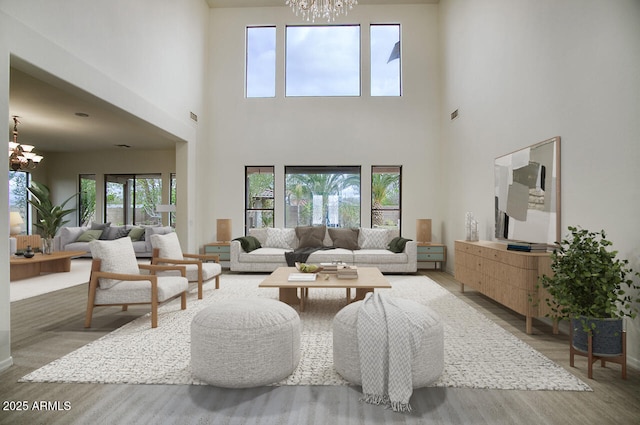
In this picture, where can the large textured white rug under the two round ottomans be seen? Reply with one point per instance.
(478, 353)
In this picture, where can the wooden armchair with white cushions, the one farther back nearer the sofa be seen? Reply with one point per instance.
(167, 250)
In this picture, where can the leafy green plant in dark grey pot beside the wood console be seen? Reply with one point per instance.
(592, 288)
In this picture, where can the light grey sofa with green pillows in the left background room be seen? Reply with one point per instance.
(67, 238)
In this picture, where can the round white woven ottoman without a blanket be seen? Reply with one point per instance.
(245, 343)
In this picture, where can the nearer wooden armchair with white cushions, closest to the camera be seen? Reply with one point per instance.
(116, 279)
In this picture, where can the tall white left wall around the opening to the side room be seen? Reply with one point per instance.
(146, 57)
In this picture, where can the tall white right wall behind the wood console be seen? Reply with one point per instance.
(523, 71)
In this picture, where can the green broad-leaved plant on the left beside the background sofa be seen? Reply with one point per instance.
(50, 217)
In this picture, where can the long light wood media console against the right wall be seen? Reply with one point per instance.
(508, 277)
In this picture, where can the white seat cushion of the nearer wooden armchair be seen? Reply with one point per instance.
(139, 291)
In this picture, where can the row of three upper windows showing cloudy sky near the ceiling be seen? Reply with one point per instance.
(323, 60)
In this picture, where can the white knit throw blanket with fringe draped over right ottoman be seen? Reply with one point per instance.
(388, 341)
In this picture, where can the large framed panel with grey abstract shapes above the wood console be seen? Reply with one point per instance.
(527, 194)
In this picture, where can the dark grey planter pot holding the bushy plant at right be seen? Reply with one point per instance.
(607, 337)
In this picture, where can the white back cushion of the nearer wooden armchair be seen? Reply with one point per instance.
(116, 256)
